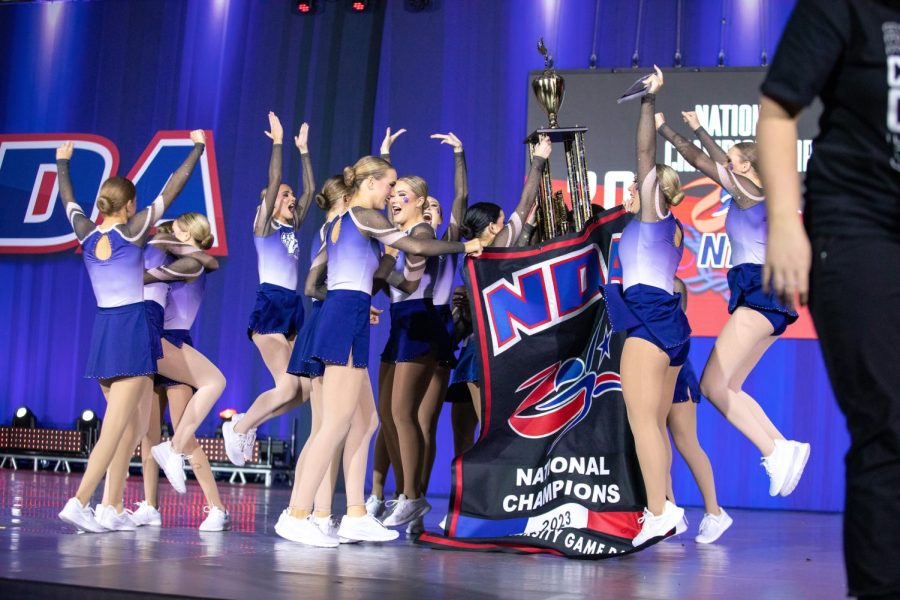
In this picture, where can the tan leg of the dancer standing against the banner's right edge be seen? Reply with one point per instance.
(644, 370)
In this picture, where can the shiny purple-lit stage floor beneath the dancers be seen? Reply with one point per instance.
(765, 555)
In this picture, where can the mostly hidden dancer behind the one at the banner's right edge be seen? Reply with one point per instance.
(682, 424)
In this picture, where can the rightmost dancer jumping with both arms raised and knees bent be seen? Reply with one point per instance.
(757, 318)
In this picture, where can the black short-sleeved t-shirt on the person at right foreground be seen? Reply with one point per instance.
(847, 52)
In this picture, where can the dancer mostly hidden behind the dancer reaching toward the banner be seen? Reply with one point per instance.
(333, 200)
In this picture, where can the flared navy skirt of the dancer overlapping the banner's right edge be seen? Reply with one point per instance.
(652, 314)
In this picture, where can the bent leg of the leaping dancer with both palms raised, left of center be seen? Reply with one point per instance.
(276, 352)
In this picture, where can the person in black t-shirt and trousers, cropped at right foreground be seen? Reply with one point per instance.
(847, 53)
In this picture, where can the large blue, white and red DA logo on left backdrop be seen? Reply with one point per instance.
(32, 219)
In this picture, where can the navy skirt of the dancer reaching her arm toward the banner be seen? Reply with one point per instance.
(343, 329)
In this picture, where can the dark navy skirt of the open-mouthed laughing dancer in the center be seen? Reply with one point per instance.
(419, 329)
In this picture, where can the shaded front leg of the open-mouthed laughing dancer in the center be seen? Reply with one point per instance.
(410, 382)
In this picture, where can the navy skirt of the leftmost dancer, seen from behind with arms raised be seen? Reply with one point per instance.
(121, 343)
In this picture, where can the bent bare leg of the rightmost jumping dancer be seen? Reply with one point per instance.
(736, 352)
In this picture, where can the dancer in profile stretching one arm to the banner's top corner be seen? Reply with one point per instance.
(341, 343)
